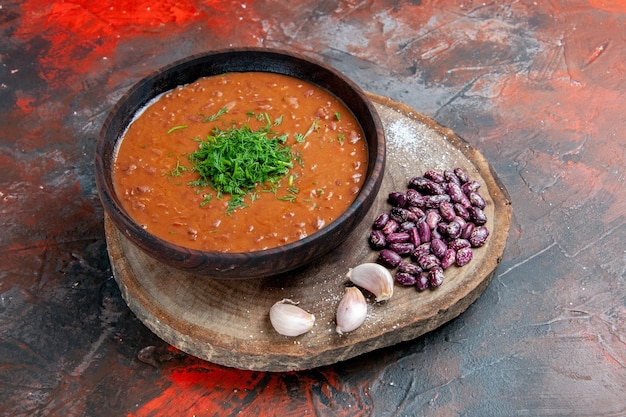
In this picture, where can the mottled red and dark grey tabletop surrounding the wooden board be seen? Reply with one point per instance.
(537, 87)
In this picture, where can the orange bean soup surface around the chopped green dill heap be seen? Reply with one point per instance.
(152, 172)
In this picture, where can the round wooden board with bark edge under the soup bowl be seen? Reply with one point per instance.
(227, 322)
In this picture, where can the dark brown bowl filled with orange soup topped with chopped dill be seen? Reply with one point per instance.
(240, 163)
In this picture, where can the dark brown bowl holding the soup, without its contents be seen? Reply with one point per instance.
(249, 264)
